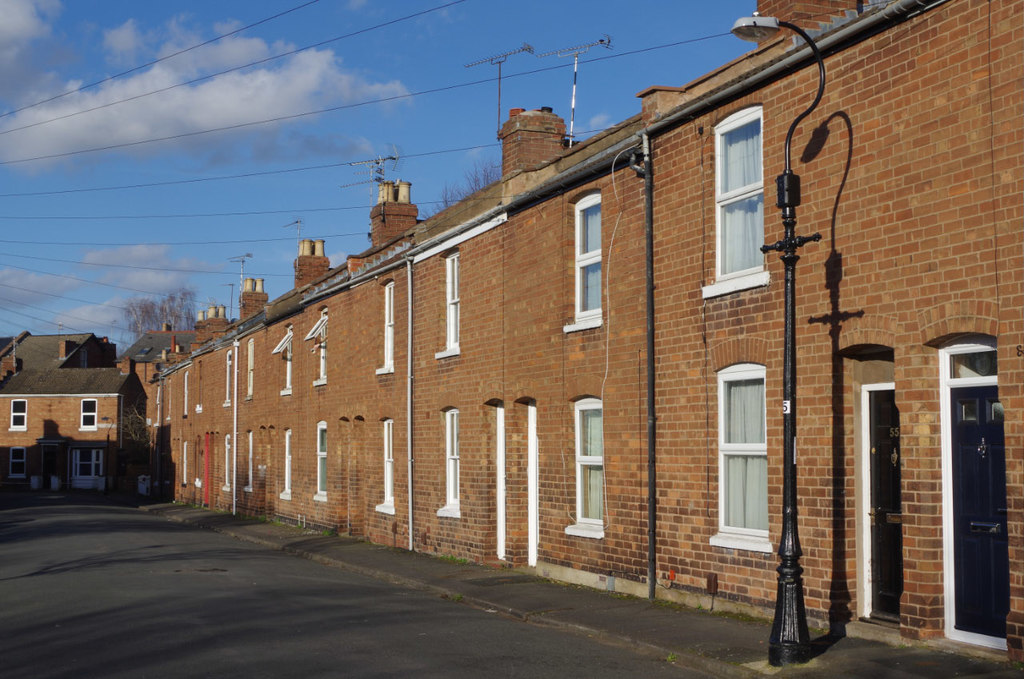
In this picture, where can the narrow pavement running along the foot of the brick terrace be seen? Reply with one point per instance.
(716, 645)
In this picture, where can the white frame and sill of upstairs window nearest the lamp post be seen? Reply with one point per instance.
(729, 282)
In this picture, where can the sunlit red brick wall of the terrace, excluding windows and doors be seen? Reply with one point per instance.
(917, 193)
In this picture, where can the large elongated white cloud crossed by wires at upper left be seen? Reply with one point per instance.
(307, 81)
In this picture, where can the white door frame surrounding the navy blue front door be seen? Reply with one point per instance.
(949, 383)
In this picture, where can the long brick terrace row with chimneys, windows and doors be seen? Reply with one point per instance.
(579, 368)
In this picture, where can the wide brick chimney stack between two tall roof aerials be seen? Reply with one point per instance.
(531, 139)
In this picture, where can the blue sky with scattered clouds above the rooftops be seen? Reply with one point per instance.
(133, 165)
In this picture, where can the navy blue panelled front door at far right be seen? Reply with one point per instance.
(980, 548)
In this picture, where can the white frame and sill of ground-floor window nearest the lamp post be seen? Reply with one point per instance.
(733, 537)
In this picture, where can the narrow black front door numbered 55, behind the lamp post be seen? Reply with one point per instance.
(886, 517)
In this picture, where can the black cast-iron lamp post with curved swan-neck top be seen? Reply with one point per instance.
(790, 641)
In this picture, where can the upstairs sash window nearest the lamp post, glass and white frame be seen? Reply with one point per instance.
(740, 199)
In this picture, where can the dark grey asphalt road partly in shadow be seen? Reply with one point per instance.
(91, 589)
